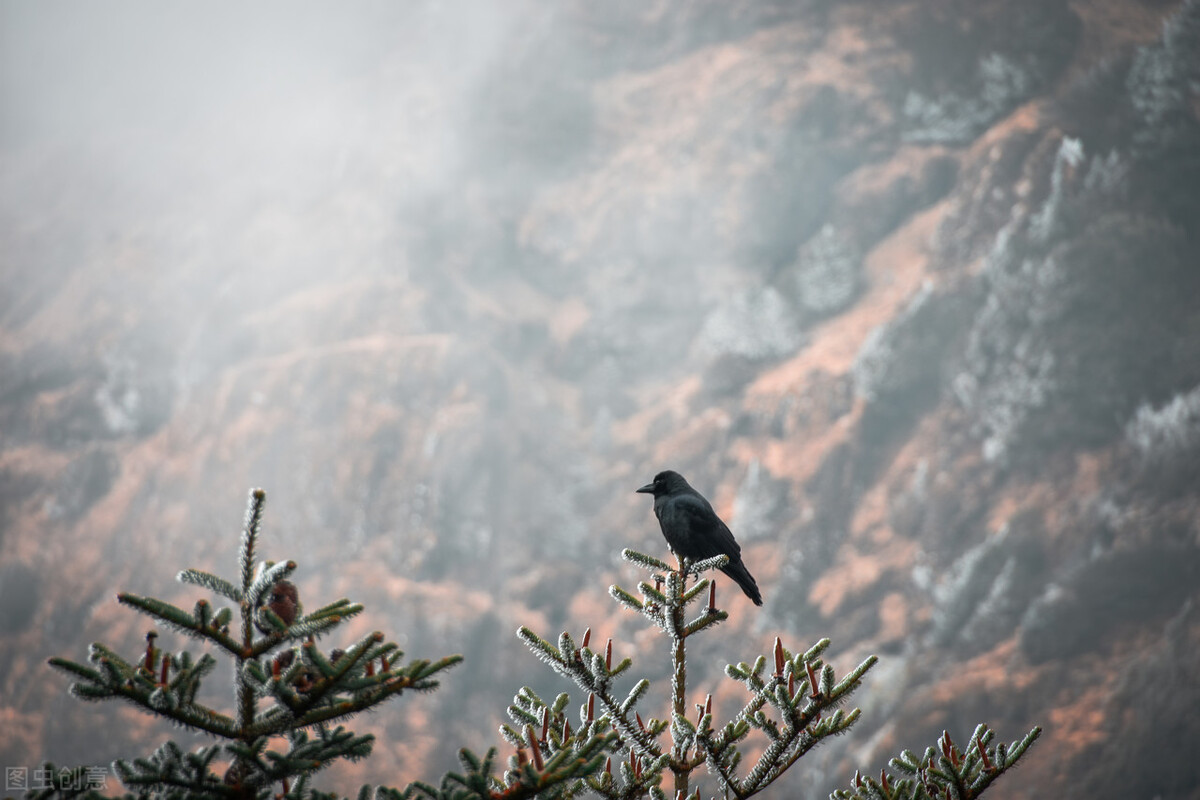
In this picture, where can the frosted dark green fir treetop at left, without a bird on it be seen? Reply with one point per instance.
(286, 687)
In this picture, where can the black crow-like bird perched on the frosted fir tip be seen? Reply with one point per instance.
(694, 531)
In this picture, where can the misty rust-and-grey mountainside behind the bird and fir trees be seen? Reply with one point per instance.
(909, 290)
